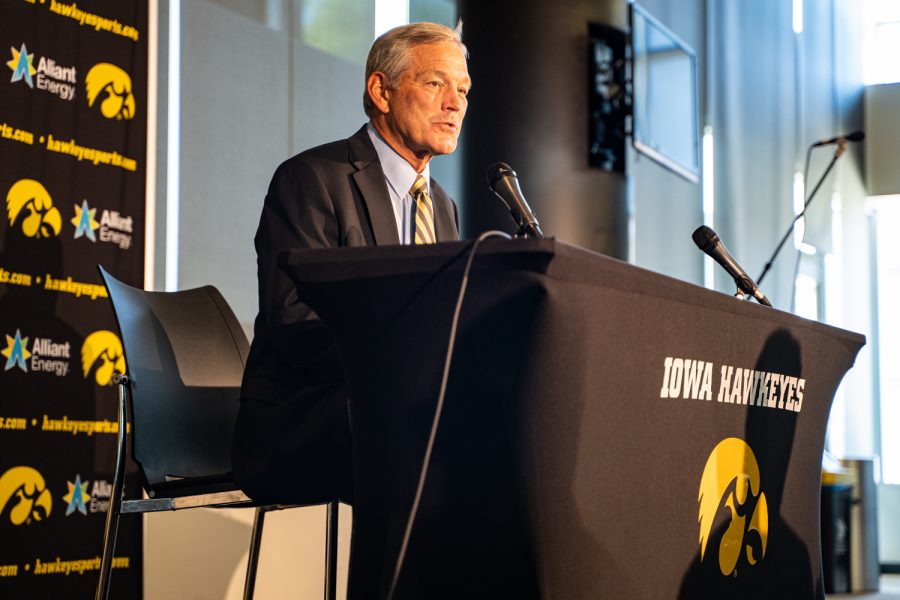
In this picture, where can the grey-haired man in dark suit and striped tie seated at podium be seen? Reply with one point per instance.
(292, 438)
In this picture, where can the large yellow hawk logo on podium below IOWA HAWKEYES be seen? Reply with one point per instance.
(731, 483)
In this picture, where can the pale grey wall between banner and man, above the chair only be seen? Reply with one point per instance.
(247, 105)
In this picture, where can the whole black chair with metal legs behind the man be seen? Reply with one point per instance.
(185, 354)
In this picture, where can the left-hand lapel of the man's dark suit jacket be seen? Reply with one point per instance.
(369, 179)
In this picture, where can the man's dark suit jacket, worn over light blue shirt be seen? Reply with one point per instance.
(292, 438)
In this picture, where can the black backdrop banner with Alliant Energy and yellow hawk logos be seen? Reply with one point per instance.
(73, 139)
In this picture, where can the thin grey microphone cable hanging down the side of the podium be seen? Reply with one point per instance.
(426, 460)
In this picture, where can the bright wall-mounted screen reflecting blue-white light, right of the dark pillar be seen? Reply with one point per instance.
(664, 87)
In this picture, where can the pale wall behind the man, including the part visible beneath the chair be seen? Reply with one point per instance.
(252, 94)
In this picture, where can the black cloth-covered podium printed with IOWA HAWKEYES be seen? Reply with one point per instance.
(608, 432)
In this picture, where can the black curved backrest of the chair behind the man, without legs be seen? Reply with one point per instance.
(185, 354)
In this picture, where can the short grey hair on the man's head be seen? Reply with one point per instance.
(390, 52)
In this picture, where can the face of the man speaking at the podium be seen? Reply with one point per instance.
(426, 107)
